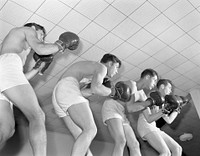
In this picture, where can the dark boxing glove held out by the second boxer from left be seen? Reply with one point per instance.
(121, 92)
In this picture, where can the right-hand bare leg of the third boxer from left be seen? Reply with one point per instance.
(132, 141)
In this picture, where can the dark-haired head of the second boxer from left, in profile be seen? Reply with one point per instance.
(112, 63)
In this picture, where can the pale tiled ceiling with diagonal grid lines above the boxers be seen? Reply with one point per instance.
(163, 35)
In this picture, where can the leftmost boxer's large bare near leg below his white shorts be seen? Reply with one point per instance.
(24, 97)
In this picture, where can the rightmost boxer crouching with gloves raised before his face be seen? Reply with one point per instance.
(158, 139)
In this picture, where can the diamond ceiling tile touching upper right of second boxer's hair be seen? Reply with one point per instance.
(124, 50)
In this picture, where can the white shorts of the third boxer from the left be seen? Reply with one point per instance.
(112, 109)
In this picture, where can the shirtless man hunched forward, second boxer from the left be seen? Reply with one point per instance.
(71, 105)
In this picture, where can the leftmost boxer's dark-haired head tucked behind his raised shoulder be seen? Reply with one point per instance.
(41, 32)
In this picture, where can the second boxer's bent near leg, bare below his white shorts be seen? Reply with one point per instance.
(81, 115)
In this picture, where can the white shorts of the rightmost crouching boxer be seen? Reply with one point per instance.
(144, 128)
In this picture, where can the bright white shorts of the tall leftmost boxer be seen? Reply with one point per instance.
(11, 71)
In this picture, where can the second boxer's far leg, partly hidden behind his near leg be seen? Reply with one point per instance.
(75, 130)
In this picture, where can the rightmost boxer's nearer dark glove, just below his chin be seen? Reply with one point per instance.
(172, 103)
